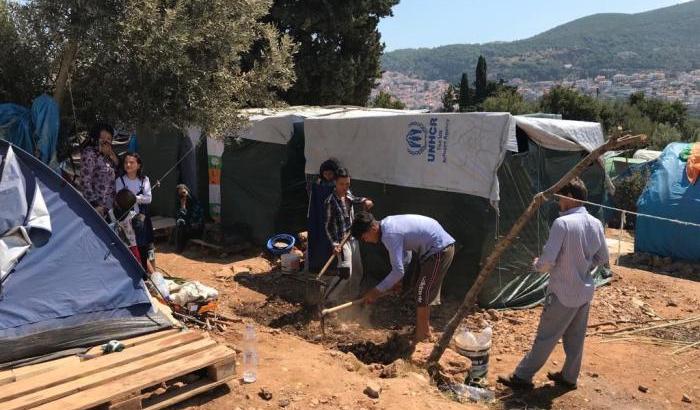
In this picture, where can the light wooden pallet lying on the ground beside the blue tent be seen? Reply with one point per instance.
(153, 372)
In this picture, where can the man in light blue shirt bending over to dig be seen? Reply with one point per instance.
(421, 235)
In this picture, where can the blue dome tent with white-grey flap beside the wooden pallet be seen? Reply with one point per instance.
(66, 280)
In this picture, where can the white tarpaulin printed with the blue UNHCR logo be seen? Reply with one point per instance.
(447, 152)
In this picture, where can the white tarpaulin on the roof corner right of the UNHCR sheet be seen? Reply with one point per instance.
(560, 135)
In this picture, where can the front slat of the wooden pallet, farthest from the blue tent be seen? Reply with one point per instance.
(104, 392)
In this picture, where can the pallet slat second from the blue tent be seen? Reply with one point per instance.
(88, 367)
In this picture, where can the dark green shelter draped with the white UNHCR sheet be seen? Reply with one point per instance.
(475, 173)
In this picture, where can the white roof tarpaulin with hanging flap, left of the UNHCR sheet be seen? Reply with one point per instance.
(277, 125)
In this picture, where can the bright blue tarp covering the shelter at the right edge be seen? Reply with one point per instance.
(669, 194)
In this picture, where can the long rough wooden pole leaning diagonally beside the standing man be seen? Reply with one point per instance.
(613, 143)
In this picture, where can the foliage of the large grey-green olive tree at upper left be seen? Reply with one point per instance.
(190, 61)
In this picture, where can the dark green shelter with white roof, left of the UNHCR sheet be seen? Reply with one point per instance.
(263, 185)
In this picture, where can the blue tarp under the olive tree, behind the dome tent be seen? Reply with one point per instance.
(34, 129)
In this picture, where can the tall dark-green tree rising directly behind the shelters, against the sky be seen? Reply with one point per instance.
(338, 60)
